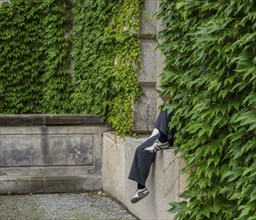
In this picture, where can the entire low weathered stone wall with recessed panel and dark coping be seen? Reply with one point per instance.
(50, 153)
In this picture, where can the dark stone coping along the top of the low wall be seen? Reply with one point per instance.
(49, 119)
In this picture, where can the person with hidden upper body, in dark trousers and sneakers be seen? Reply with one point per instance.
(161, 138)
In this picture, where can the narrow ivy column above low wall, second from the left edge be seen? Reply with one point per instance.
(57, 78)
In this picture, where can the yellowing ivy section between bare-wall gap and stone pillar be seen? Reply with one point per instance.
(107, 57)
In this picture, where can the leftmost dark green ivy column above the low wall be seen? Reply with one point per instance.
(20, 85)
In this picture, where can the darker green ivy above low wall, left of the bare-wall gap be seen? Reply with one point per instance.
(34, 56)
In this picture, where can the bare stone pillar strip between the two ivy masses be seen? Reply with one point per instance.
(147, 109)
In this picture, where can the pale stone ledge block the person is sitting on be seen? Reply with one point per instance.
(165, 182)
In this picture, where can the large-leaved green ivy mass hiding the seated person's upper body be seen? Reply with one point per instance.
(210, 49)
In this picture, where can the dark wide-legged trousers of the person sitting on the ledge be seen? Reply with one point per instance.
(143, 160)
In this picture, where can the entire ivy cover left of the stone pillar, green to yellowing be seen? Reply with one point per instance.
(38, 74)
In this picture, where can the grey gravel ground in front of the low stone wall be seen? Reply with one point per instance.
(84, 206)
